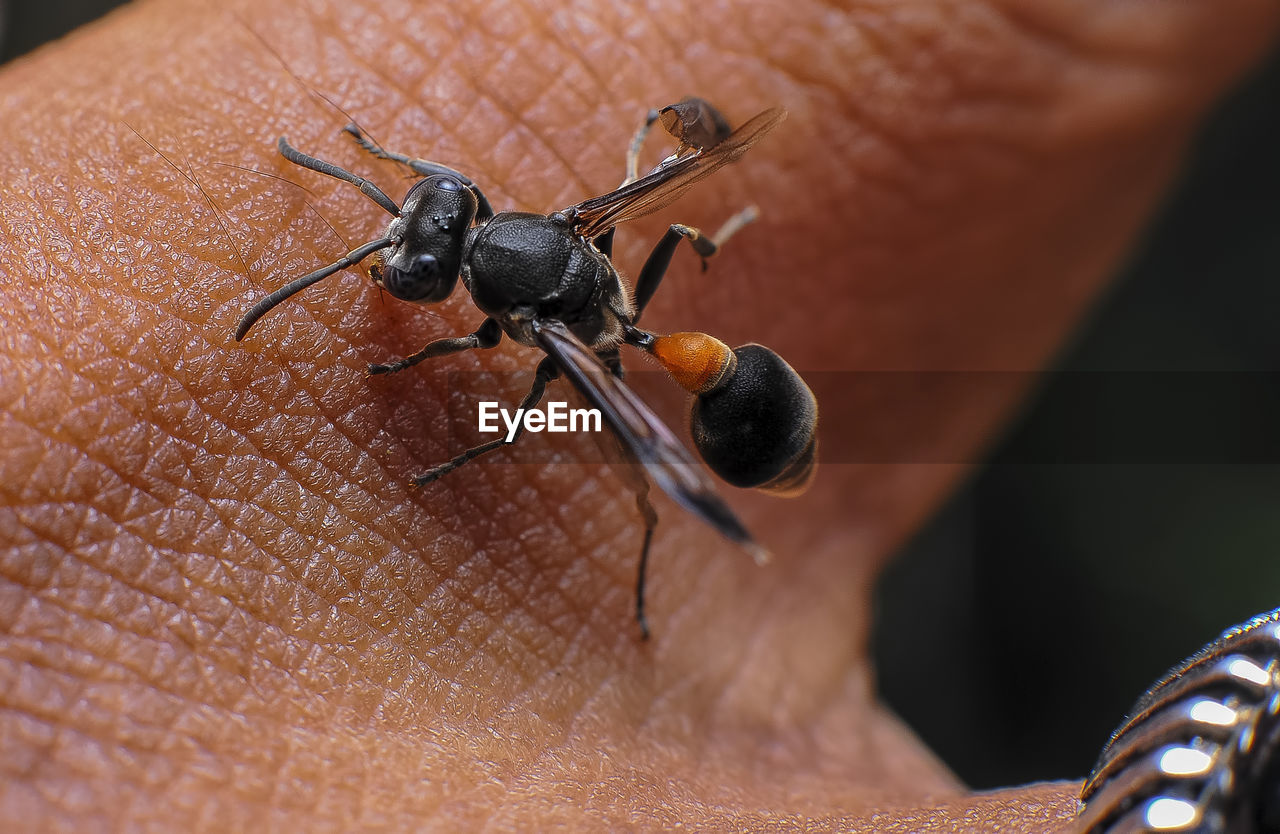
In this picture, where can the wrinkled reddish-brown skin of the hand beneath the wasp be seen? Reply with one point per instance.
(221, 606)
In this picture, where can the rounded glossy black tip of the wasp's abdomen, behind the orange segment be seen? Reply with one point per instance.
(760, 428)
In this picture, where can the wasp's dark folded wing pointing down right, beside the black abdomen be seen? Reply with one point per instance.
(643, 434)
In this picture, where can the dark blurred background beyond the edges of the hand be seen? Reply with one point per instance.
(1020, 626)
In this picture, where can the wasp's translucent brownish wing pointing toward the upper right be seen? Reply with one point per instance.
(668, 182)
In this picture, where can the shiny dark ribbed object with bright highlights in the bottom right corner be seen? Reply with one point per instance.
(1199, 753)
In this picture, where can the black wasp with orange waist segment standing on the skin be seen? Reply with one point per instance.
(547, 282)
